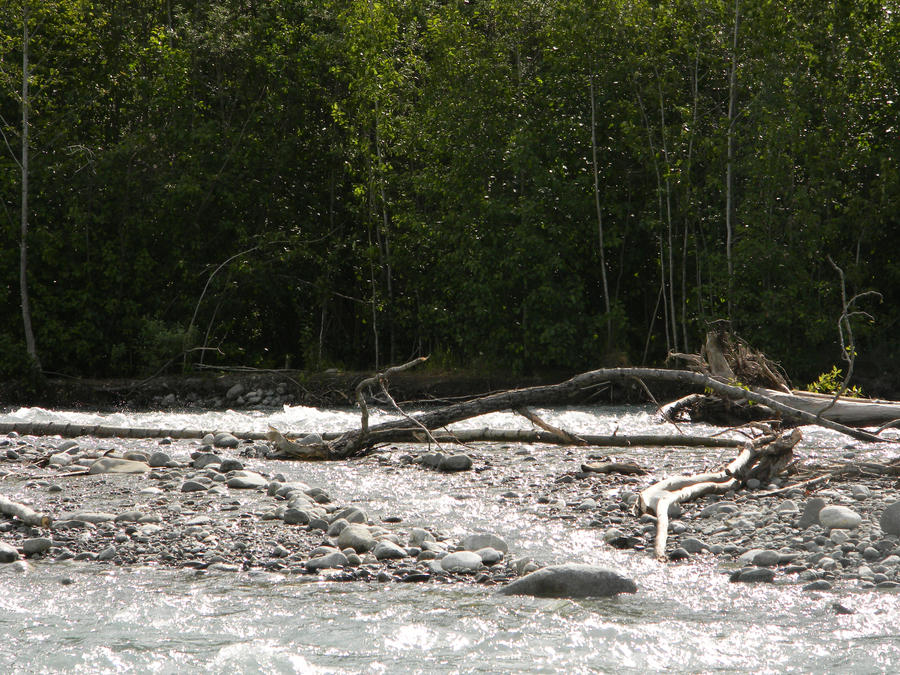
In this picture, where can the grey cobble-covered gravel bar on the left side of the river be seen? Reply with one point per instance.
(203, 506)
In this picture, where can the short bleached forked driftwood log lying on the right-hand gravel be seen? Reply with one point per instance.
(764, 458)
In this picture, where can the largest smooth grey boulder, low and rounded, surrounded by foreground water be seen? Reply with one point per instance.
(571, 580)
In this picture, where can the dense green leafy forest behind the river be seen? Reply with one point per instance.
(352, 182)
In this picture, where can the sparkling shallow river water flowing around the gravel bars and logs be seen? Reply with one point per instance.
(684, 618)
